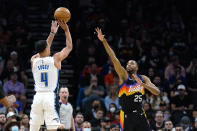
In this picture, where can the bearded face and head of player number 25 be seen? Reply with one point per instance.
(131, 67)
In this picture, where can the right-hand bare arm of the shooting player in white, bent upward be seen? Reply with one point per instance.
(66, 50)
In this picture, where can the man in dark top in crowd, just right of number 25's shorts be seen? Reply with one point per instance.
(159, 121)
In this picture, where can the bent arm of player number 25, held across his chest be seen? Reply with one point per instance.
(147, 84)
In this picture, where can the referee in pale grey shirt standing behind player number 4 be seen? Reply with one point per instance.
(66, 110)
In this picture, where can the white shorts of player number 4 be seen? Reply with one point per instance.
(43, 109)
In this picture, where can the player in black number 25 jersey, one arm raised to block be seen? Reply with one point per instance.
(132, 91)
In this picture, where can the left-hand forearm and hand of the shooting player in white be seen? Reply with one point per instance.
(54, 29)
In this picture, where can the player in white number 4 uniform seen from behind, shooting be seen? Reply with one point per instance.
(45, 72)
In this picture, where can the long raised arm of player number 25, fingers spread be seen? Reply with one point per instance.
(122, 73)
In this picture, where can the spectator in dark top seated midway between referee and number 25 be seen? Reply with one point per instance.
(93, 91)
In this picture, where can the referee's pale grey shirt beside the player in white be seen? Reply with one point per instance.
(66, 112)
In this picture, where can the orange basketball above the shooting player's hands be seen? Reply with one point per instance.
(62, 13)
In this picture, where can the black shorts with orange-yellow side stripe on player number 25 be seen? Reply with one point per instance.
(135, 121)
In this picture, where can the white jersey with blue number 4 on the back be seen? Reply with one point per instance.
(45, 74)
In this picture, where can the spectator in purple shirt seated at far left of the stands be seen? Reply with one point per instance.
(13, 86)
